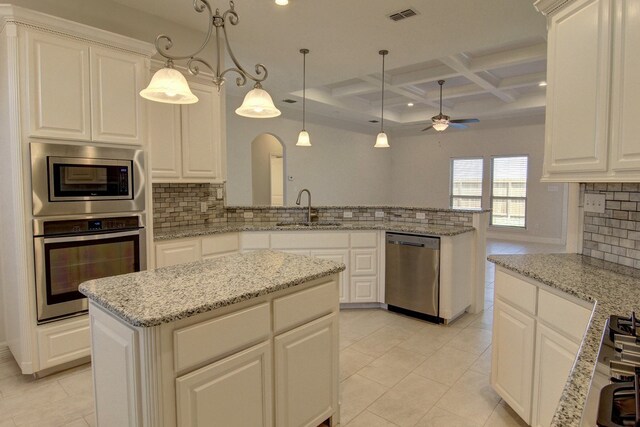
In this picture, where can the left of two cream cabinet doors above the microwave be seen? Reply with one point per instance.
(58, 87)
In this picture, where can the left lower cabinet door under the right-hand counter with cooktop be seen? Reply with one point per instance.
(512, 357)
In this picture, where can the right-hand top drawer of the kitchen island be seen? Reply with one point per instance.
(294, 310)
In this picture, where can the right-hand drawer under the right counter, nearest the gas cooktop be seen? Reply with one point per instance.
(563, 315)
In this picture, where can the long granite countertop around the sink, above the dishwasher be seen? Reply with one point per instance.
(160, 234)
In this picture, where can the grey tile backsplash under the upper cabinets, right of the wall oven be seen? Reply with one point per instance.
(176, 205)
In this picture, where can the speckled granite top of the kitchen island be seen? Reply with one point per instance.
(152, 297)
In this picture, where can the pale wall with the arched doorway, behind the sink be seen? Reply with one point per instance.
(341, 168)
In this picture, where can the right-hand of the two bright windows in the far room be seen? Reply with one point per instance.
(509, 191)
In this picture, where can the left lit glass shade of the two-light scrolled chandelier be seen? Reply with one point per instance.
(168, 85)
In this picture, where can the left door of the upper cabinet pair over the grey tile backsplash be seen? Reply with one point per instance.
(165, 139)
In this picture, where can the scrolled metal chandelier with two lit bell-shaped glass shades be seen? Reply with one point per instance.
(169, 85)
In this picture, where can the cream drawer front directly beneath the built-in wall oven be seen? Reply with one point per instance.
(63, 343)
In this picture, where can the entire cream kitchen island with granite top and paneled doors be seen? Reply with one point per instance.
(246, 339)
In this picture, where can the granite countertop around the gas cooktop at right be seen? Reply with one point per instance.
(612, 288)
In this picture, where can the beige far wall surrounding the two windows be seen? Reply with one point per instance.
(421, 173)
